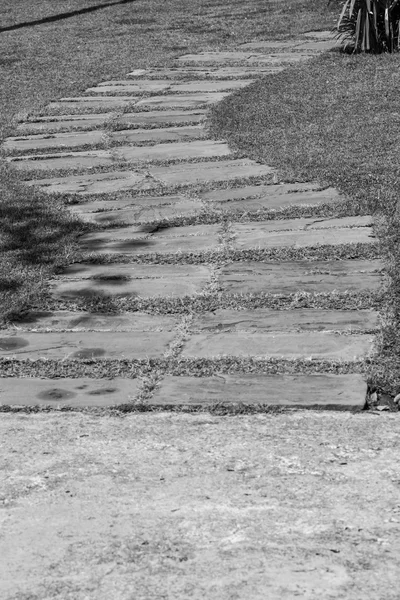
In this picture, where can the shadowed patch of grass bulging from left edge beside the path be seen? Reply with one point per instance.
(37, 235)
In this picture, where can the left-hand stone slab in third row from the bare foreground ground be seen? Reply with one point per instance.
(87, 321)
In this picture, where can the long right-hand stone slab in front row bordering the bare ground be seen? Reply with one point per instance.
(340, 392)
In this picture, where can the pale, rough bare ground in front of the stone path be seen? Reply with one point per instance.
(175, 506)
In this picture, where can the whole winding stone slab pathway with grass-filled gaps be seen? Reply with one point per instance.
(206, 281)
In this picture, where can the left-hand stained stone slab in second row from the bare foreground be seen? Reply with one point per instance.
(85, 345)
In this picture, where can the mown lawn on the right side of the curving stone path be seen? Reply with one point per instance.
(334, 120)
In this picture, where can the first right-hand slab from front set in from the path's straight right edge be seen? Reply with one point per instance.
(261, 197)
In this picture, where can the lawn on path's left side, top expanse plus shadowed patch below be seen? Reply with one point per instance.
(49, 50)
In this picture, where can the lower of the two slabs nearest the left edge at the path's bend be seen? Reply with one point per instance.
(63, 161)
